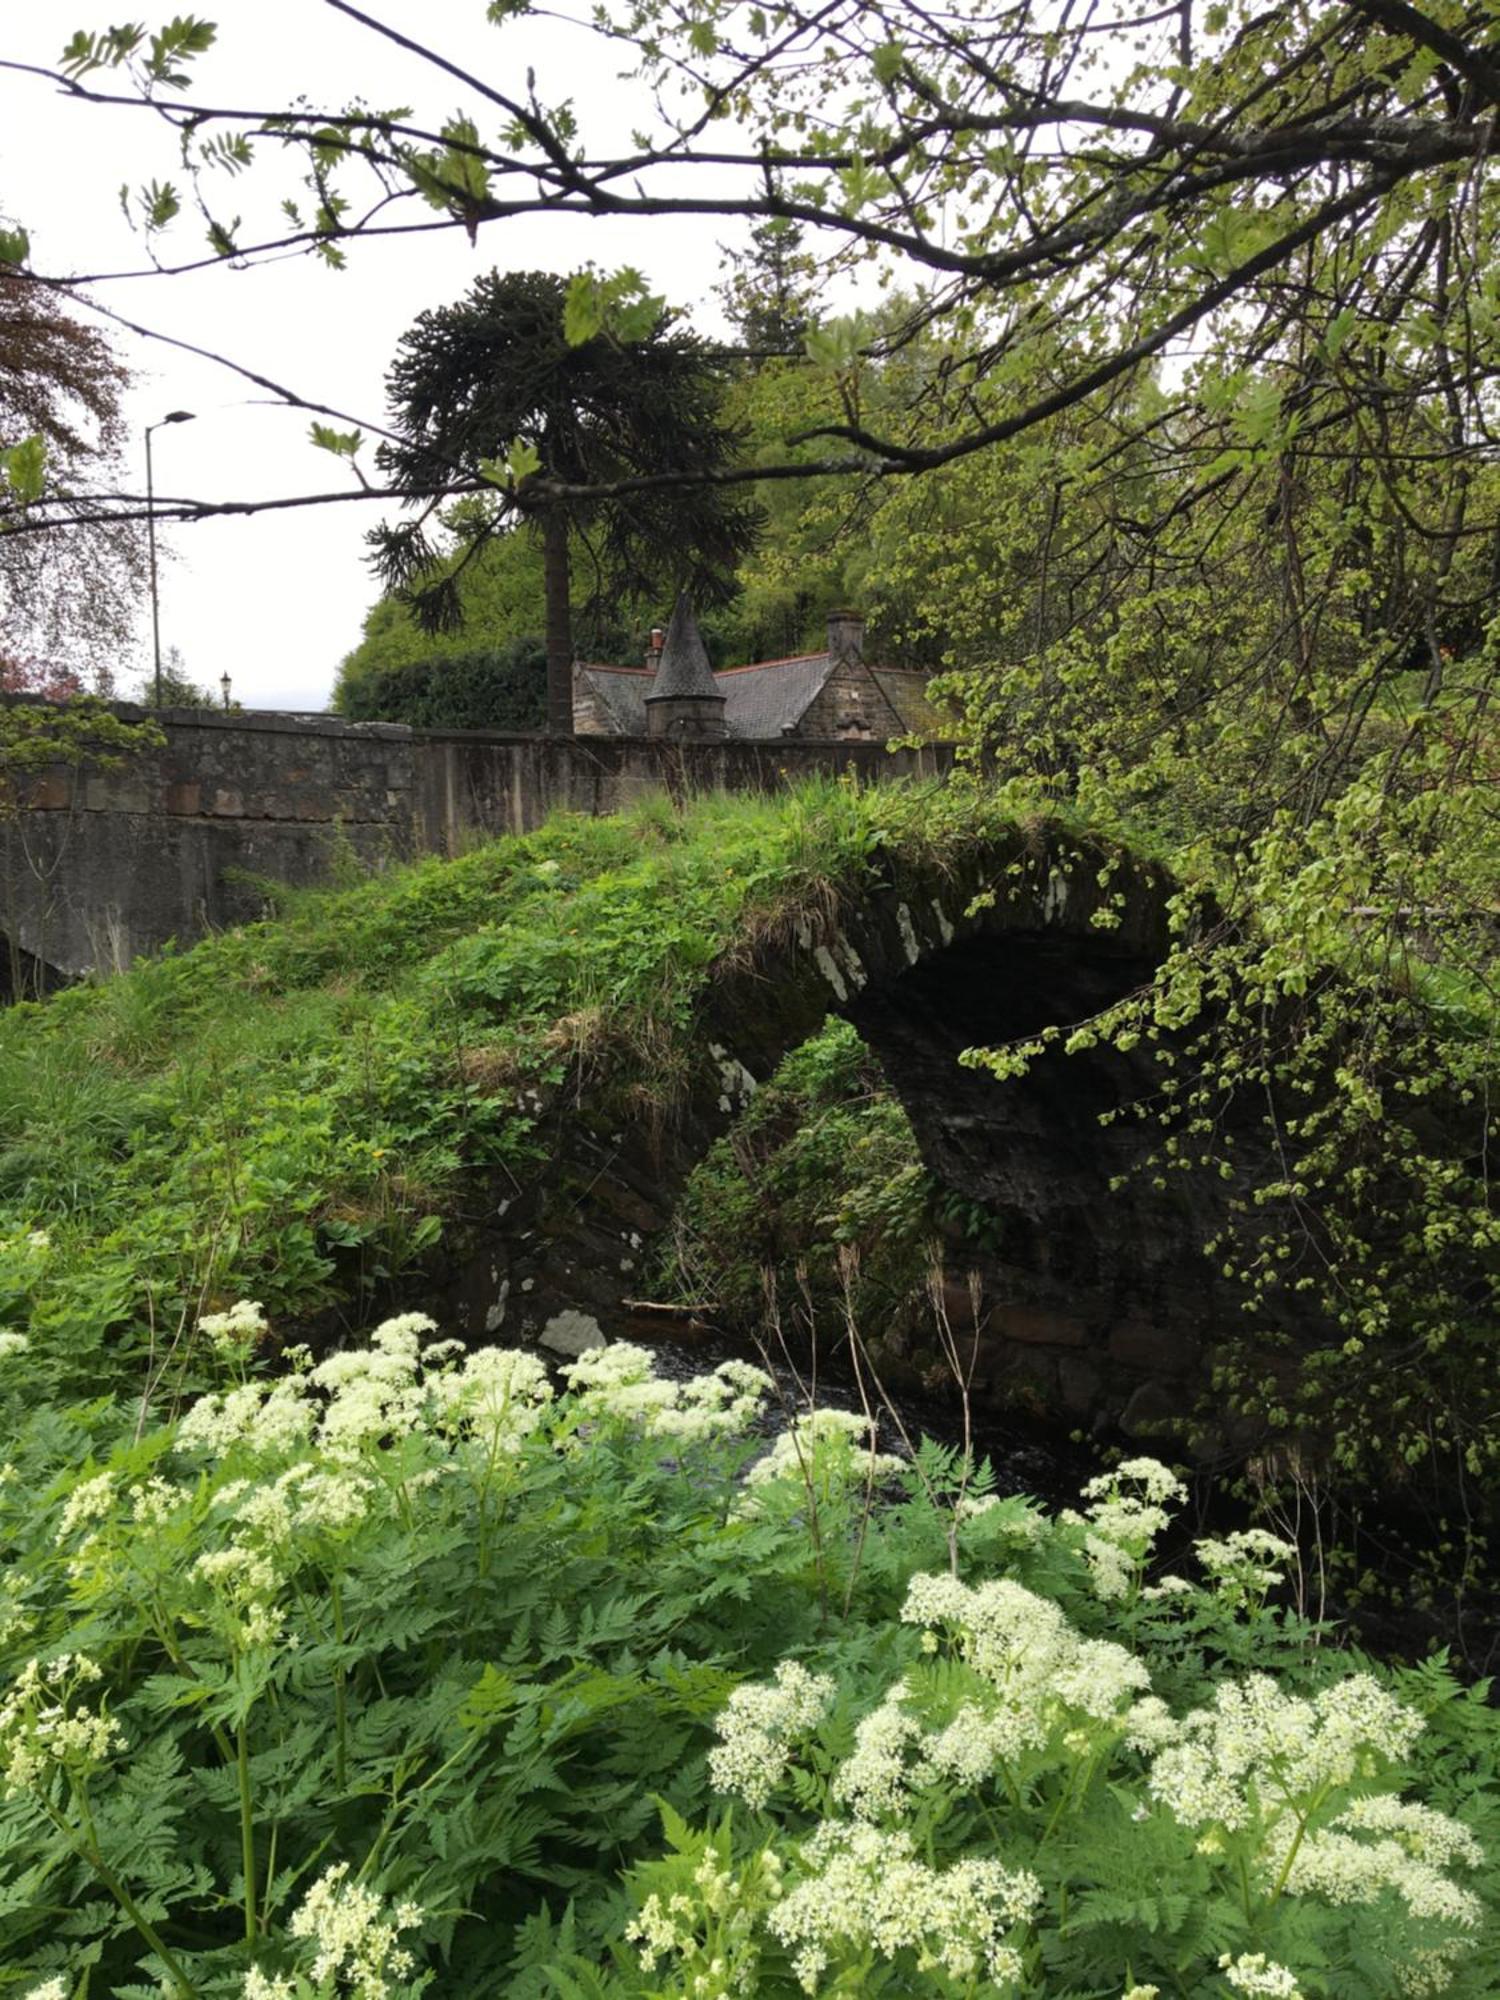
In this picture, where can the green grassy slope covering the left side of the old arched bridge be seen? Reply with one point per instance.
(287, 1109)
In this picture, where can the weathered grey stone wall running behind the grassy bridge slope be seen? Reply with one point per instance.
(103, 867)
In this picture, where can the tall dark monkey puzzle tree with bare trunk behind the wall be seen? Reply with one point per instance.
(495, 389)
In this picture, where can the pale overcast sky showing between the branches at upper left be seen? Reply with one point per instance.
(277, 601)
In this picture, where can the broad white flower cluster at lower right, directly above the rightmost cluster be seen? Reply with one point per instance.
(1279, 1749)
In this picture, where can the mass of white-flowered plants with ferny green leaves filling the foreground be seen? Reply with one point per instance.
(403, 1673)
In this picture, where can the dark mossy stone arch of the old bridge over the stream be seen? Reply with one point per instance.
(1097, 1301)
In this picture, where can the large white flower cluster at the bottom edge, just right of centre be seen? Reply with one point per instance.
(867, 1891)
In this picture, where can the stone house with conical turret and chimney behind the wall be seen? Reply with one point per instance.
(831, 697)
